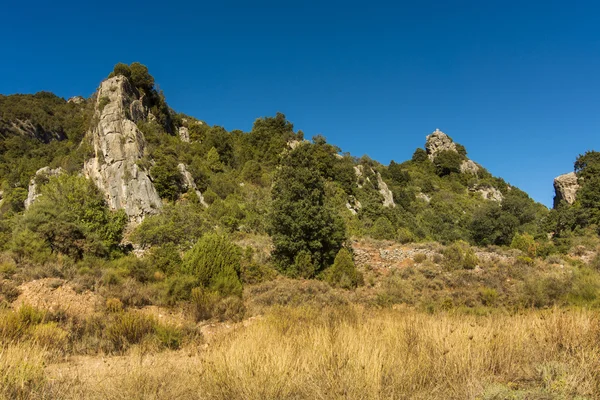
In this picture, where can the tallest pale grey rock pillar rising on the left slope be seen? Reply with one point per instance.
(118, 147)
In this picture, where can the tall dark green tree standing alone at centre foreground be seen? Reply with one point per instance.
(300, 222)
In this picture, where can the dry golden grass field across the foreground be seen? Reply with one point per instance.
(352, 353)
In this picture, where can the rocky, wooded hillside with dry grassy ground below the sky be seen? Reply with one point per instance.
(128, 227)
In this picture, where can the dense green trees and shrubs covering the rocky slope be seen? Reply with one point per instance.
(302, 196)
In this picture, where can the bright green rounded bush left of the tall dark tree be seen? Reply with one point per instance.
(215, 261)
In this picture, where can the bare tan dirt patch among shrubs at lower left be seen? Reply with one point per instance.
(55, 294)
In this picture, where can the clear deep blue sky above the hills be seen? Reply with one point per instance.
(516, 82)
